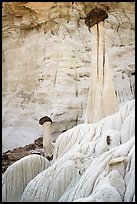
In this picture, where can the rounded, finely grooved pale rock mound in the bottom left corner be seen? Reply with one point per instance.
(20, 174)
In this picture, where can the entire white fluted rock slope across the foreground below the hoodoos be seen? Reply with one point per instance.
(85, 167)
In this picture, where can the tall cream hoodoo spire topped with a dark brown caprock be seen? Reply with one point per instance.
(102, 100)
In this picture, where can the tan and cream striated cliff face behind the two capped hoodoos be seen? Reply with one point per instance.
(47, 55)
